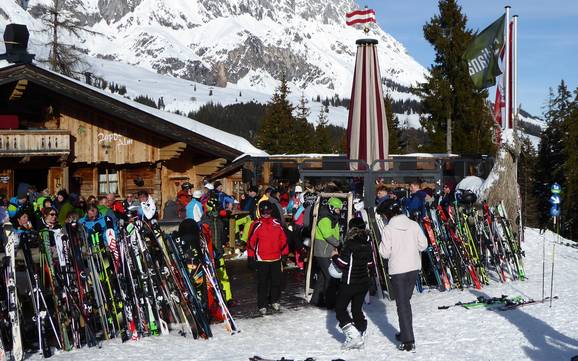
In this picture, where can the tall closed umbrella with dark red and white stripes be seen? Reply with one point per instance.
(367, 135)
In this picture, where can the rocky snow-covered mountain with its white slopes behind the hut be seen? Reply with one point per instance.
(229, 51)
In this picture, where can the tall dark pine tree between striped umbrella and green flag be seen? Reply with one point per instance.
(448, 90)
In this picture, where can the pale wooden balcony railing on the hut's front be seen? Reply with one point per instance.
(42, 142)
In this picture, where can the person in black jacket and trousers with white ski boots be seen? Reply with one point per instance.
(354, 261)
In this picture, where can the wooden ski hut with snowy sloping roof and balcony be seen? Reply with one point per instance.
(57, 132)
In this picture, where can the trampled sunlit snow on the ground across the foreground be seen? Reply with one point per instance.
(534, 332)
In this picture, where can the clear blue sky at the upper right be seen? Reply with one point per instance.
(547, 45)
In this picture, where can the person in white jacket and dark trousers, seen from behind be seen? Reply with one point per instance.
(402, 241)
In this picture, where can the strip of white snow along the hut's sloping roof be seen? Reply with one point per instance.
(227, 139)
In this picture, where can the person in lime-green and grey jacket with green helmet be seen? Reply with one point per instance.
(327, 239)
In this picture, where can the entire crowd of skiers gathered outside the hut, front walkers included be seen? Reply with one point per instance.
(271, 226)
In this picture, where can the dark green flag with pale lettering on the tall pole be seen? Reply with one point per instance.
(483, 53)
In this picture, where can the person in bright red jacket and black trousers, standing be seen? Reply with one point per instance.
(267, 246)
